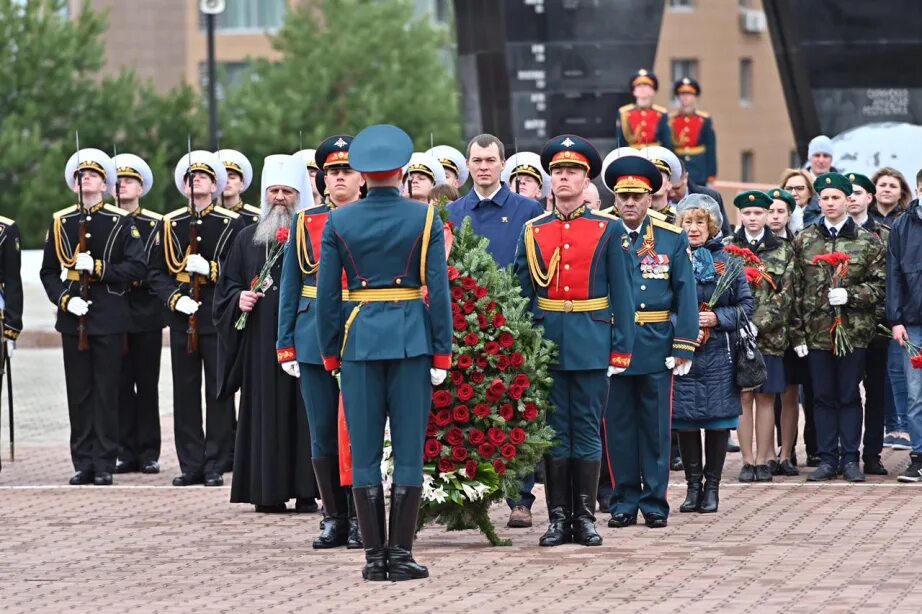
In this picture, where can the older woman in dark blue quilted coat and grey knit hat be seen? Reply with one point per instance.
(708, 399)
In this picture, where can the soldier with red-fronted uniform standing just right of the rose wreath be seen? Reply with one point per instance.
(577, 276)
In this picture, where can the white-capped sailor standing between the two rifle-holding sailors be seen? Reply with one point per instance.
(139, 400)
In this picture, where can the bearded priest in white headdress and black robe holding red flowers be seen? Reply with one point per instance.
(272, 463)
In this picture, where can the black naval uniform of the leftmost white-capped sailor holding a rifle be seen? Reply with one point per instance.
(91, 375)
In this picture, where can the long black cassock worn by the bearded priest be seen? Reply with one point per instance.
(272, 458)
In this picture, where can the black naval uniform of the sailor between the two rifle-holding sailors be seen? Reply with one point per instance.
(139, 400)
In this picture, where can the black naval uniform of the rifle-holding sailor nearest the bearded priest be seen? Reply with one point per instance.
(200, 454)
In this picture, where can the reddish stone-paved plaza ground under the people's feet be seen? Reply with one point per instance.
(145, 546)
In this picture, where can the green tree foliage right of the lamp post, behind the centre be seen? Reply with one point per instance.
(346, 64)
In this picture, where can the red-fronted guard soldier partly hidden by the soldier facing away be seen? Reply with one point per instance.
(298, 353)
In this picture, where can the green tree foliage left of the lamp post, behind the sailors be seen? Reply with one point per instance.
(50, 70)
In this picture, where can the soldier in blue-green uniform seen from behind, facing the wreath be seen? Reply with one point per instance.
(391, 348)
